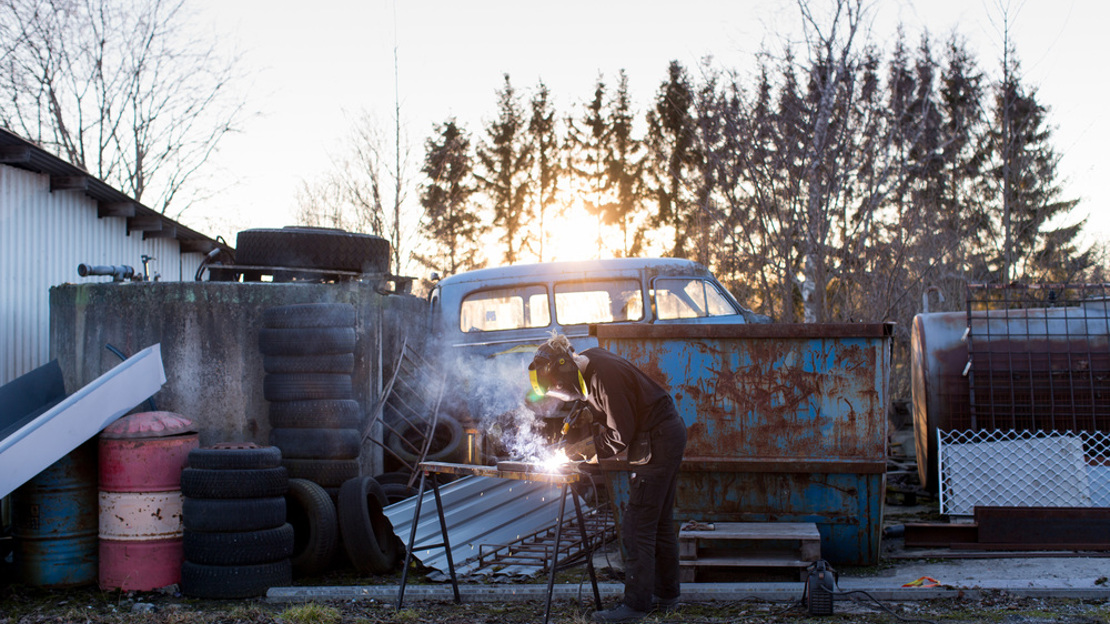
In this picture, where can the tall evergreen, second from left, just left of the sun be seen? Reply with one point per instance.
(504, 163)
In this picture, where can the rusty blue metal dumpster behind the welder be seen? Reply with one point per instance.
(785, 424)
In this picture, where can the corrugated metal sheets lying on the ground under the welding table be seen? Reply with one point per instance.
(479, 510)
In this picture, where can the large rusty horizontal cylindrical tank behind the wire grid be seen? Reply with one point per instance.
(1011, 369)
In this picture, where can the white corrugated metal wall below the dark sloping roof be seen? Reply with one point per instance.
(44, 237)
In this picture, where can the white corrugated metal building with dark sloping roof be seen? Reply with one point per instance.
(54, 216)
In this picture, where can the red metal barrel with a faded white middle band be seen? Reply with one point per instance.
(142, 458)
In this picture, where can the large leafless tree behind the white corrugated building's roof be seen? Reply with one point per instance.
(120, 89)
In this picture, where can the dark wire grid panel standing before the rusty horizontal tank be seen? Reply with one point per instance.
(1038, 358)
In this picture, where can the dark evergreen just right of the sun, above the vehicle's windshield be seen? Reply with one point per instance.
(670, 140)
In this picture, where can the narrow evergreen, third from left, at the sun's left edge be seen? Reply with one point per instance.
(548, 158)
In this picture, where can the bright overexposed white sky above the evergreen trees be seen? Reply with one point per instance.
(314, 67)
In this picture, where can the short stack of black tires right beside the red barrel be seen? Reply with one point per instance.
(237, 541)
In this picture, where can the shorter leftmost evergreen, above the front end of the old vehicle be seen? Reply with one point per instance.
(449, 218)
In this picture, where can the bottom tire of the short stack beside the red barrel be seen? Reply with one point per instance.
(234, 581)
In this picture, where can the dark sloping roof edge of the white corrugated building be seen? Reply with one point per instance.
(21, 154)
